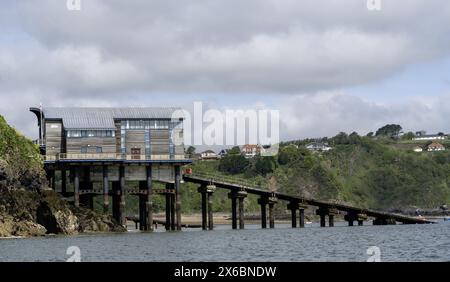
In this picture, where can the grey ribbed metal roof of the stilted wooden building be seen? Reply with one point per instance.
(103, 118)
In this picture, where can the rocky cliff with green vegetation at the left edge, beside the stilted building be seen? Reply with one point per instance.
(27, 206)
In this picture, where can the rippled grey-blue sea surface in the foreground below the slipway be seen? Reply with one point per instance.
(341, 243)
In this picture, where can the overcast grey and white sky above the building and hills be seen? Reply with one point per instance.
(326, 65)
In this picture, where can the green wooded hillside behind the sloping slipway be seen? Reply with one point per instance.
(362, 171)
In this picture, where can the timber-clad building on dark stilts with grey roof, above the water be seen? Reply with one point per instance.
(106, 150)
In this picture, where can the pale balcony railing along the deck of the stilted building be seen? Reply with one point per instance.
(112, 156)
